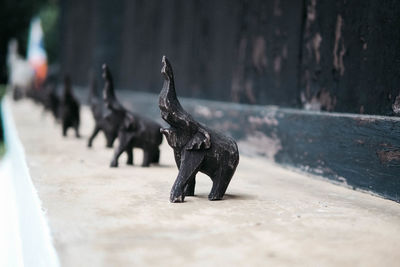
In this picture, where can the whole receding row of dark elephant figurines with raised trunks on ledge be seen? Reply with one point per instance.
(195, 146)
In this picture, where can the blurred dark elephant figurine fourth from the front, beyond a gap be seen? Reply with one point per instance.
(69, 109)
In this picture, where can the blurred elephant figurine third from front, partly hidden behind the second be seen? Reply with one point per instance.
(105, 120)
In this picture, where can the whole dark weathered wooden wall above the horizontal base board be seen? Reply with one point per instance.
(332, 55)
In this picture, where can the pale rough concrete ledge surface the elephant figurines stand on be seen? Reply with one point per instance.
(101, 216)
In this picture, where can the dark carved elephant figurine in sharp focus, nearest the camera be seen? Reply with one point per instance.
(196, 147)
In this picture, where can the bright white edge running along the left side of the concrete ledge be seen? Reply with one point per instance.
(25, 238)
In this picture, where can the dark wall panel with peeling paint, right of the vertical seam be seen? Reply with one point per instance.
(349, 60)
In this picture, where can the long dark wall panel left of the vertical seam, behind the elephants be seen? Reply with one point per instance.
(242, 51)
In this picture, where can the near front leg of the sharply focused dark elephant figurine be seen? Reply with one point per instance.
(189, 166)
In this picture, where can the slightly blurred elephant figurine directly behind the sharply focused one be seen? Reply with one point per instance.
(133, 130)
